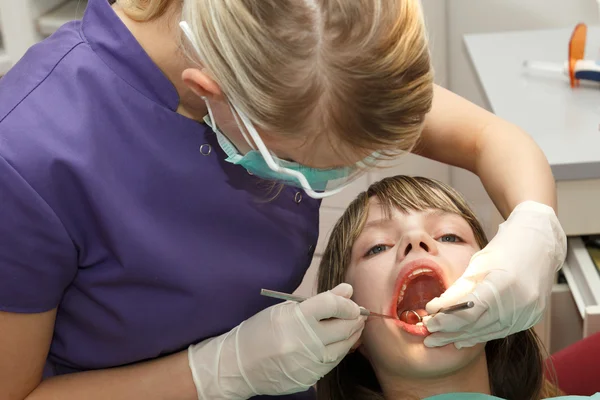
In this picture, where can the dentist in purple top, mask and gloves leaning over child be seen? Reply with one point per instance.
(161, 161)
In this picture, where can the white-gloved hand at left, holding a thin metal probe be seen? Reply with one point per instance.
(283, 349)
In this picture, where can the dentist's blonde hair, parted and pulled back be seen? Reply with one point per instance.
(358, 70)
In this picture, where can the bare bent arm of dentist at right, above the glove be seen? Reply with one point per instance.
(510, 165)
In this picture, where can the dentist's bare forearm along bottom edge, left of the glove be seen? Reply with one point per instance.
(165, 378)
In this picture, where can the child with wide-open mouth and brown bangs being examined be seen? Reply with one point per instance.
(400, 244)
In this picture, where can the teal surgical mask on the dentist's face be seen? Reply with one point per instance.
(317, 183)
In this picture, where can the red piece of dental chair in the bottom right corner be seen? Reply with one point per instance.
(577, 367)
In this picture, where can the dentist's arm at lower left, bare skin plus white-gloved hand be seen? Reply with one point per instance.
(286, 348)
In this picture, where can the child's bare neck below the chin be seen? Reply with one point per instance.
(473, 378)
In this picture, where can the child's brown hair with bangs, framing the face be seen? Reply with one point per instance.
(515, 363)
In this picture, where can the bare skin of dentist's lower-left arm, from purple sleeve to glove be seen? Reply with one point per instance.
(24, 344)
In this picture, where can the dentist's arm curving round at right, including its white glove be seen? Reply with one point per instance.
(511, 278)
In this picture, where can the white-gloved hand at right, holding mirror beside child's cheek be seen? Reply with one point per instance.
(510, 281)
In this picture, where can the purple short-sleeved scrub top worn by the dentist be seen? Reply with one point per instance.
(123, 214)
